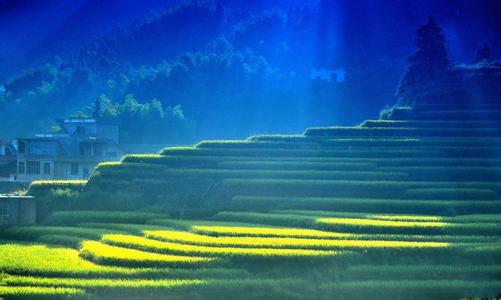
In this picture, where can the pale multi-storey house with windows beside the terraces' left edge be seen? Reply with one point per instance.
(72, 153)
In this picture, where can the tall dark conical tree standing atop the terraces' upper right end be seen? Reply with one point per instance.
(428, 63)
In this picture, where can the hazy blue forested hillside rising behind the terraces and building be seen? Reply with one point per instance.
(176, 73)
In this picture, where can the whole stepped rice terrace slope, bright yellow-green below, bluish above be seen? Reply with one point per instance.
(404, 209)
